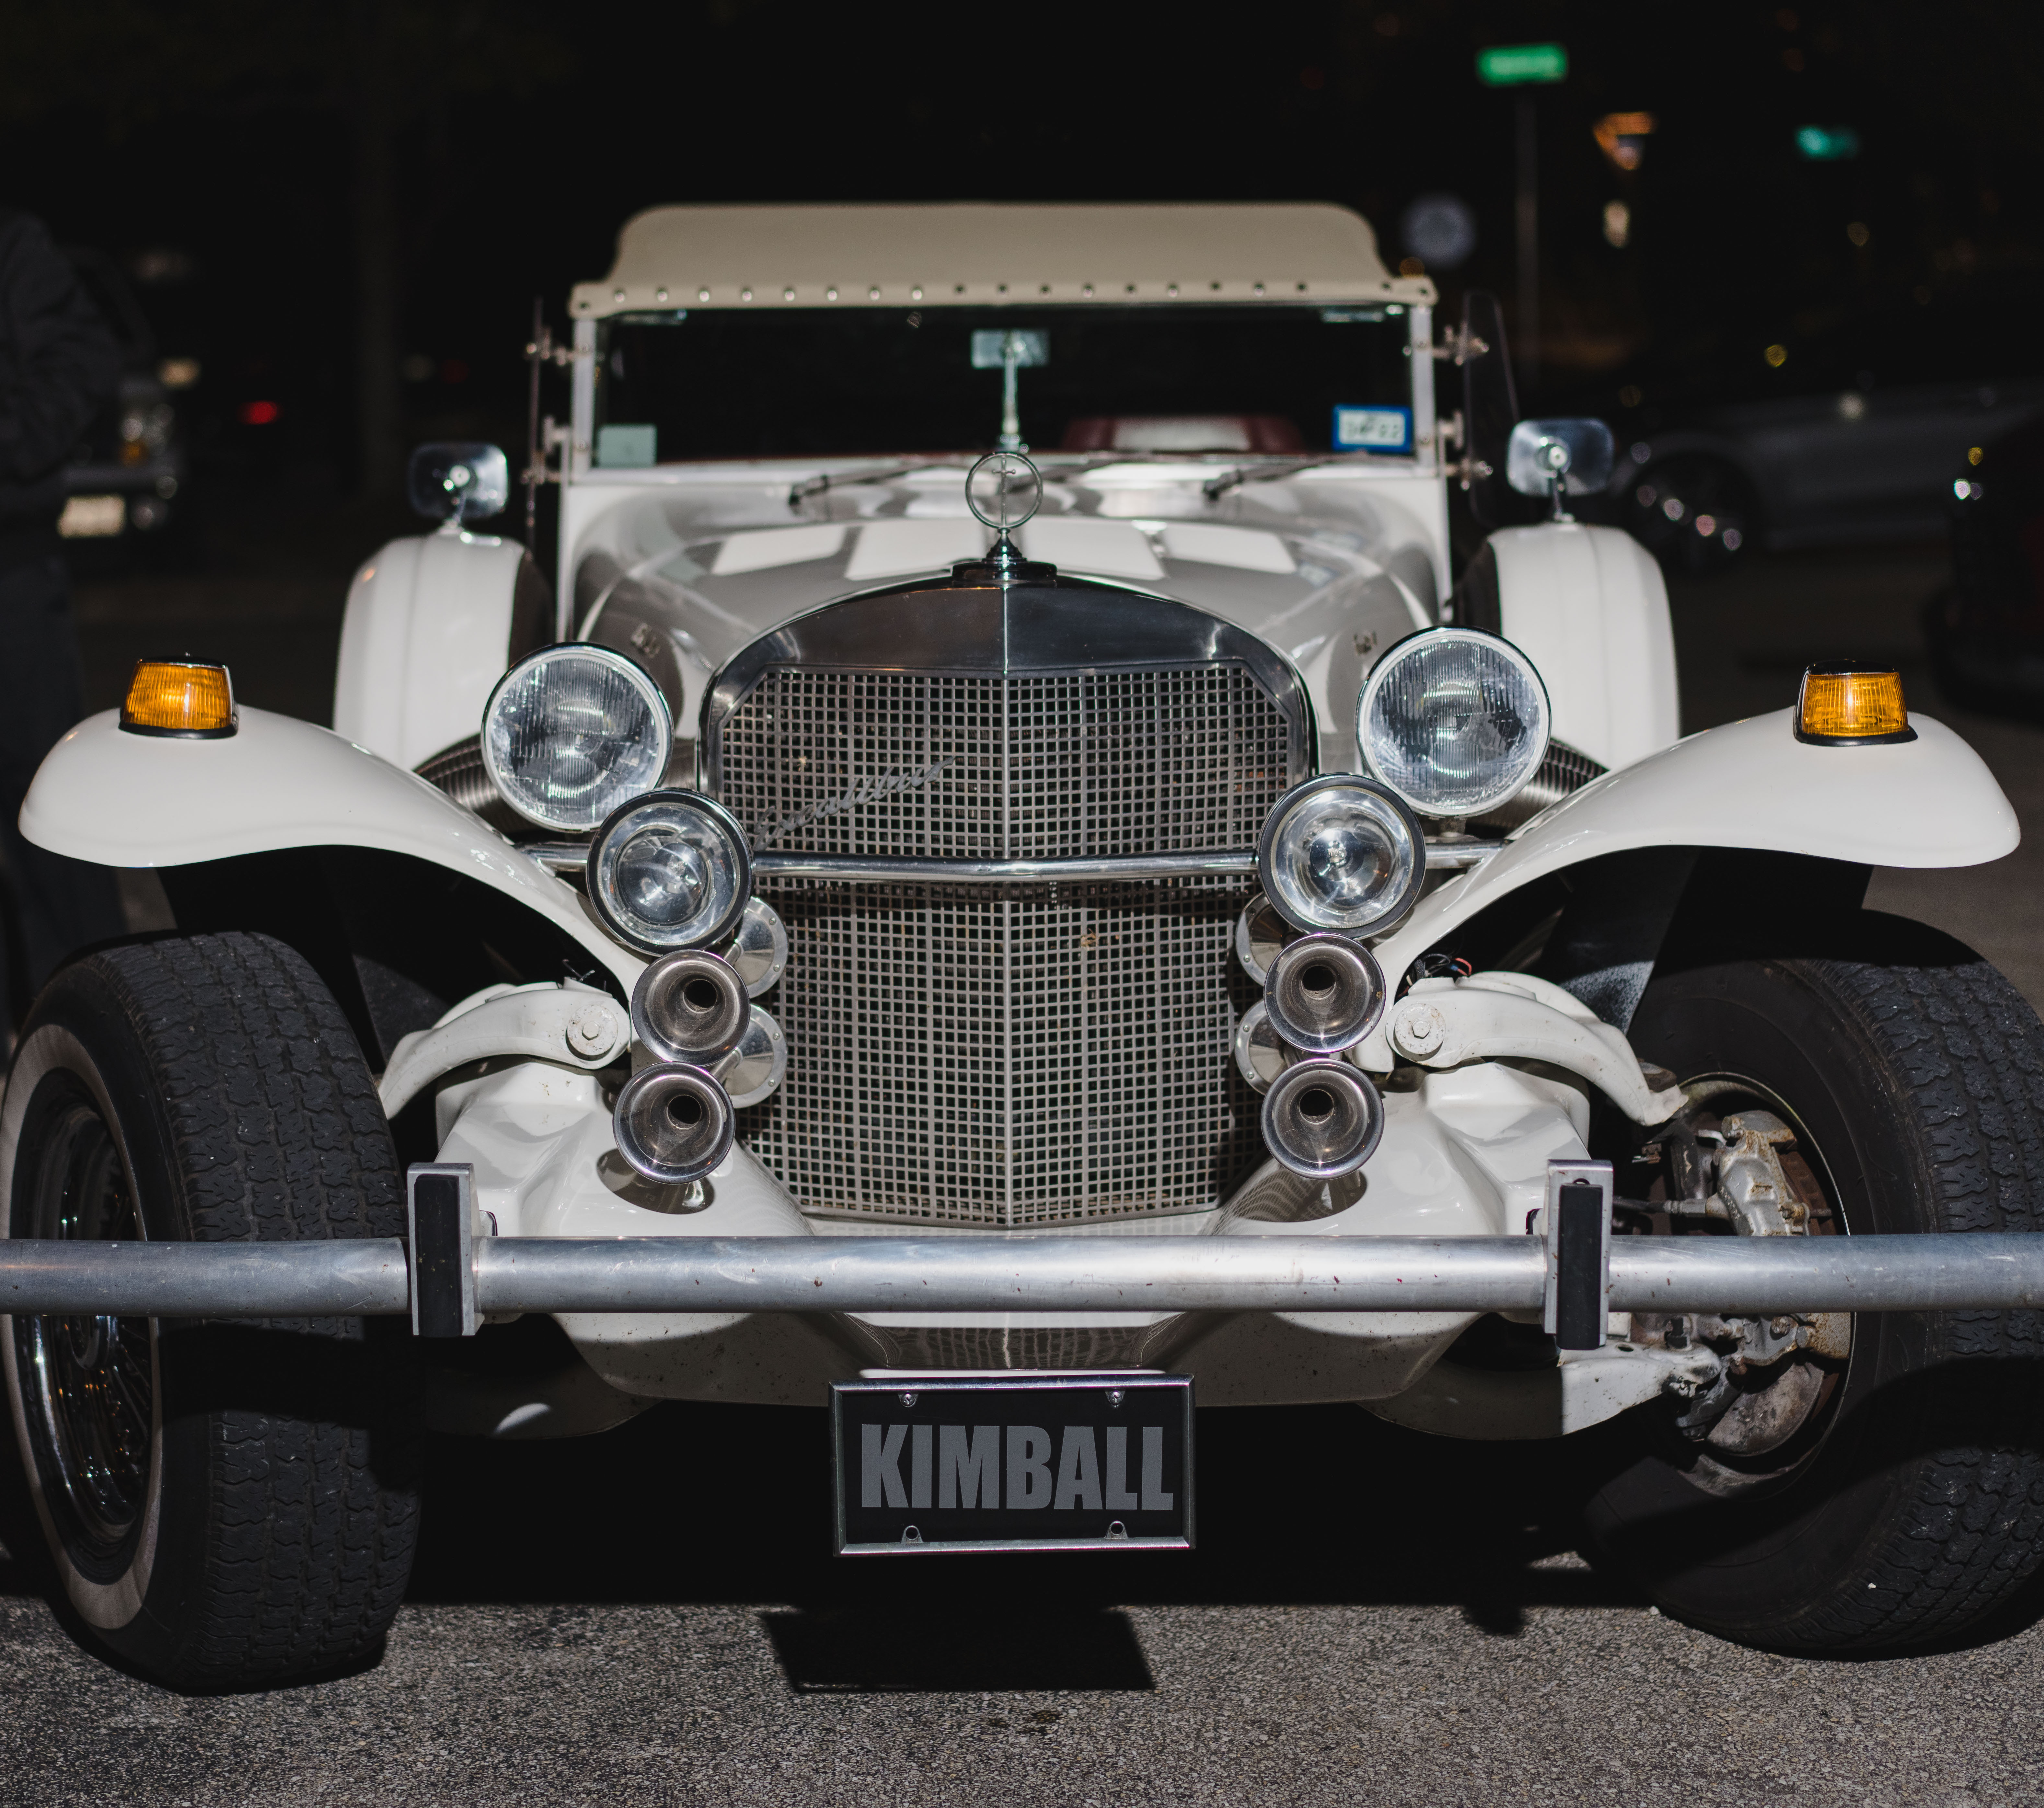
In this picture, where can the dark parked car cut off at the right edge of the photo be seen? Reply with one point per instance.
(1988, 630)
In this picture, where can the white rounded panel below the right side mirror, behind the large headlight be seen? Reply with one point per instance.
(1589, 608)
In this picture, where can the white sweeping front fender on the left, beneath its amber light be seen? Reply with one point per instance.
(124, 800)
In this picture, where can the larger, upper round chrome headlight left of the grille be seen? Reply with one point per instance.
(573, 732)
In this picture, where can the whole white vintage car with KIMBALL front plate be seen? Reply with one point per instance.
(1005, 884)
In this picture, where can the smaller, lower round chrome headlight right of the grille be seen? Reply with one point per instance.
(1342, 853)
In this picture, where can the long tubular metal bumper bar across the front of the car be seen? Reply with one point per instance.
(1015, 1274)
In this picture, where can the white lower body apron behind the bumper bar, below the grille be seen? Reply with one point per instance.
(1465, 1155)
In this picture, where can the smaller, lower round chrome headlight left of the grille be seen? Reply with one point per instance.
(669, 871)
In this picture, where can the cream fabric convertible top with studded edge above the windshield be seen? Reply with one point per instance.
(994, 254)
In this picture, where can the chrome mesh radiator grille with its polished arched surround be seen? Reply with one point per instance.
(1007, 1053)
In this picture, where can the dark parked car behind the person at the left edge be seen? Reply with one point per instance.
(130, 471)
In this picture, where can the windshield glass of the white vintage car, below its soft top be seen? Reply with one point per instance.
(815, 383)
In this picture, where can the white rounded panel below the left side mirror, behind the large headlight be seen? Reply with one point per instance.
(424, 643)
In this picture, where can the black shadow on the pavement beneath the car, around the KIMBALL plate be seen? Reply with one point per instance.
(733, 1505)
